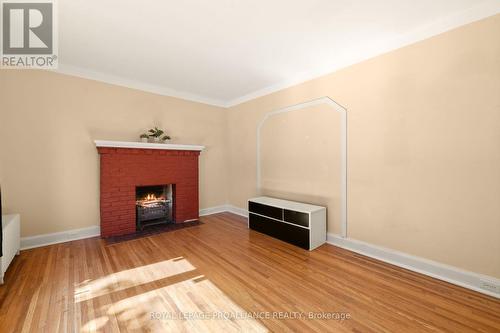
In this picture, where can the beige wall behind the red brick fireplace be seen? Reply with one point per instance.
(50, 164)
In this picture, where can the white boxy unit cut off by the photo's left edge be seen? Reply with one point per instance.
(11, 243)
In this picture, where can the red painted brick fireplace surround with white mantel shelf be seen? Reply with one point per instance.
(127, 166)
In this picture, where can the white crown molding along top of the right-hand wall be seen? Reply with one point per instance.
(445, 24)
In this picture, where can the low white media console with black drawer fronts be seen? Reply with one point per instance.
(297, 223)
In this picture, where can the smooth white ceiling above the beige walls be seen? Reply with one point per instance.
(224, 52)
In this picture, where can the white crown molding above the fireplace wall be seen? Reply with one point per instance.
(135, 84)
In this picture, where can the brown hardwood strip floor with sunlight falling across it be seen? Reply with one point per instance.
(221, 268)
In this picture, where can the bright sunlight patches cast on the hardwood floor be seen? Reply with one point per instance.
(194, 304)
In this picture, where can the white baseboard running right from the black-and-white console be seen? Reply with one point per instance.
(427, 267)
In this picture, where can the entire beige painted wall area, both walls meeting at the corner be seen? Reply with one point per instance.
(423, 146)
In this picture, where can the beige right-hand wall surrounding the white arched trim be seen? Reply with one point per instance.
(423, 147)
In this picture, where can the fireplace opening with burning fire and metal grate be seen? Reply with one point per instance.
(154, 205)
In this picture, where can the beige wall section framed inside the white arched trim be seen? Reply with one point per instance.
(301, 158)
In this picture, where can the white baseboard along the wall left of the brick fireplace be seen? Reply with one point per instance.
(59, 237)
